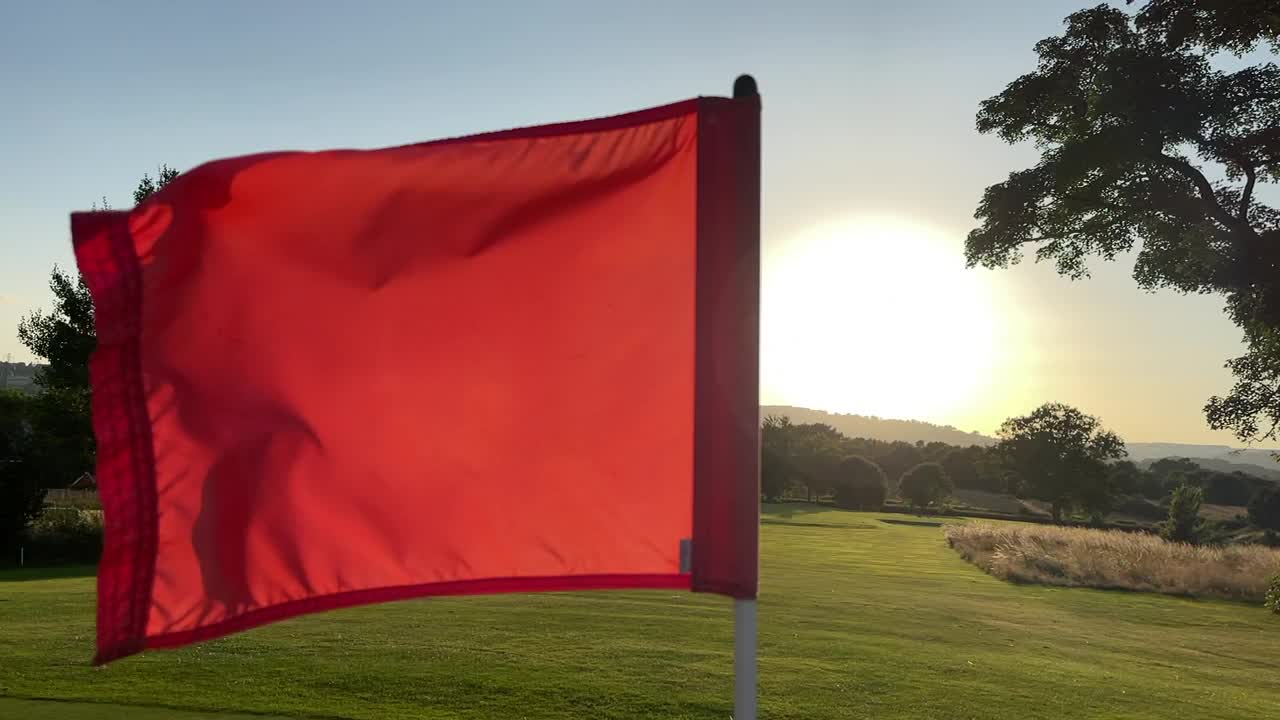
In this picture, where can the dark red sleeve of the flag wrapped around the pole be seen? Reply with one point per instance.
(726, 389)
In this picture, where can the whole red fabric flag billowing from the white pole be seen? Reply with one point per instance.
(506, 363)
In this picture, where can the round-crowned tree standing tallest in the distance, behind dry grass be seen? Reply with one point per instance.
(1062, 455)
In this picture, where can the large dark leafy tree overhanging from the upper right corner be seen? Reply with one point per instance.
(1135, 126)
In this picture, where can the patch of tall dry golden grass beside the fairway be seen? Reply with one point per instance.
(1116, 559)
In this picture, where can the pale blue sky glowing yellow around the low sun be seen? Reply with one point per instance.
(872, 170)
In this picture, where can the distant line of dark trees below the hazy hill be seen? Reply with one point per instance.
(1055, 454)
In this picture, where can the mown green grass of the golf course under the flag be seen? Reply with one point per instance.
(858, 619)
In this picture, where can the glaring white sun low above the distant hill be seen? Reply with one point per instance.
(877, 317)
